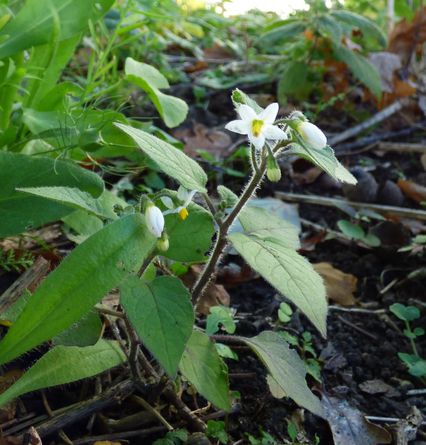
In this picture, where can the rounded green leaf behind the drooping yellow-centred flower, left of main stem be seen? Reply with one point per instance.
(189, 239)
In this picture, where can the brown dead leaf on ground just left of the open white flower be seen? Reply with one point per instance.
(200, 137)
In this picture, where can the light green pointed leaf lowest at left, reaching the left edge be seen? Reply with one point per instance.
(66, 364)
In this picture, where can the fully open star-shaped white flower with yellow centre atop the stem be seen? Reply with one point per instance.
(258, 127)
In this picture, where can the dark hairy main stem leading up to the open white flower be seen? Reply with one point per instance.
(221, 240)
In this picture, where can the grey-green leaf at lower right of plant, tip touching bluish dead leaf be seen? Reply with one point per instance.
(286, 368)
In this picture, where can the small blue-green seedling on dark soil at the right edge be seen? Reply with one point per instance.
(416, 364)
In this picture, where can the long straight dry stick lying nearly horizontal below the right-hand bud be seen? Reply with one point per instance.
(336, 202)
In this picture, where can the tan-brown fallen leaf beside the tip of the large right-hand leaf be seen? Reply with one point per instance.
(340, 286)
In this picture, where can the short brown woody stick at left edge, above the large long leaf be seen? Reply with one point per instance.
(29, 279)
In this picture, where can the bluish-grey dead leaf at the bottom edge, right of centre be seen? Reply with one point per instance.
(349, 426)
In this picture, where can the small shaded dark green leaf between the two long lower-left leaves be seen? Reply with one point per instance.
(86, 332)
